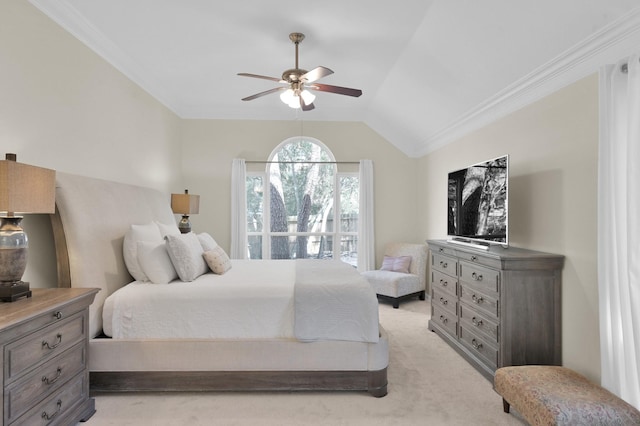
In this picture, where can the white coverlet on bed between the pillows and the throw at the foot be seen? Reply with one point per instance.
(254, 299)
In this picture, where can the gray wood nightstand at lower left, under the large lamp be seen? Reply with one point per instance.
(44, 338)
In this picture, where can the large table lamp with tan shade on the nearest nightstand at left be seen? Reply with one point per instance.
(23, 189)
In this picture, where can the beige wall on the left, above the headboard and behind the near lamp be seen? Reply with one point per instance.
(63, 107)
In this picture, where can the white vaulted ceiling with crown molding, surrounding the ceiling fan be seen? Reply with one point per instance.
(430, 70)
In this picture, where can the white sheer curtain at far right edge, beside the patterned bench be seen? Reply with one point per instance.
(619, 228)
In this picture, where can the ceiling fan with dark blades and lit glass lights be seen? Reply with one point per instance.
(297, 81)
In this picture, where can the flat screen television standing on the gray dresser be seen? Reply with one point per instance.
(478, 203)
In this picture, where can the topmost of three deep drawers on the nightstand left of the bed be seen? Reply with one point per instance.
(44, 344)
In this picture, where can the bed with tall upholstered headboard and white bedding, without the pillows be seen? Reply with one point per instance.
(304, 330)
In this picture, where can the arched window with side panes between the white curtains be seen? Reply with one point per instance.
(302, 206)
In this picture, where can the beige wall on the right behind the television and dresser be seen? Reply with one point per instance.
(552, 146)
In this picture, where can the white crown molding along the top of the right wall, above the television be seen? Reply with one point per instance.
(610, 44)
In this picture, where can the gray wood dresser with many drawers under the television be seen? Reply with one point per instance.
(497, 307)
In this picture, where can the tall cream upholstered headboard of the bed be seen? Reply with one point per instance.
(91, 219)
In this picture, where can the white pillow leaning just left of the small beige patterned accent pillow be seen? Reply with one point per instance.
(185, 252)
